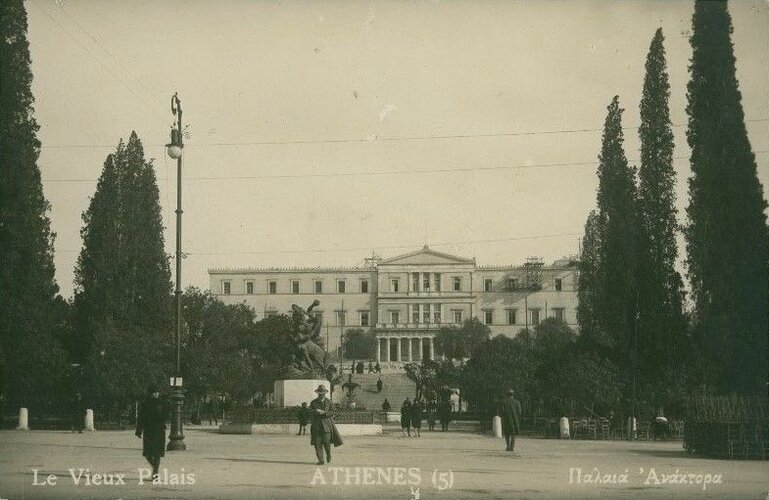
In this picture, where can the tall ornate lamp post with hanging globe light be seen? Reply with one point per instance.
(174, 149)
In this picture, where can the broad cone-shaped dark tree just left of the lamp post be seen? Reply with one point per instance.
(122, 277)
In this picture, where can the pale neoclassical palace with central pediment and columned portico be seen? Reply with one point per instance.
(406, 299)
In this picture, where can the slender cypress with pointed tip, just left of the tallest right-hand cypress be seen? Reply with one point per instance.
(661, 324)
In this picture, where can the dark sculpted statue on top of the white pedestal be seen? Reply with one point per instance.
(308, 359)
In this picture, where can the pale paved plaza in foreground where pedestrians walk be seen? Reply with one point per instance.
(439, 465)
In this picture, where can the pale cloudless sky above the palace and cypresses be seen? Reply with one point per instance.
(320, 132)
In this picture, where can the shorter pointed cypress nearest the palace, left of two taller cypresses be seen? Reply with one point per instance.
(617, 217)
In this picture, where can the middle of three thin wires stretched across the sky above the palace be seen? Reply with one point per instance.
(389, 172)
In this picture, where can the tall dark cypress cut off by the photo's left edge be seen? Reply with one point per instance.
(30, 313)
